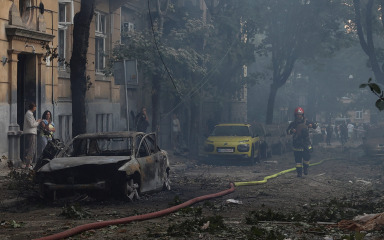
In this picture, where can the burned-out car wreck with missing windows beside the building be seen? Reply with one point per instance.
(123, 164)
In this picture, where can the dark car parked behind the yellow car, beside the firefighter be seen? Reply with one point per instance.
(278, 139)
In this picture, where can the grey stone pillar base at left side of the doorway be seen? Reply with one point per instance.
(14, 134)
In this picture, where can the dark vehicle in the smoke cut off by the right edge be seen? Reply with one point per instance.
(373, 141)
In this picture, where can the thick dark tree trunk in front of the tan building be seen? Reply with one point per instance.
(82, 22)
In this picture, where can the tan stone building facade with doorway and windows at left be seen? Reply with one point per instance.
(28, 29)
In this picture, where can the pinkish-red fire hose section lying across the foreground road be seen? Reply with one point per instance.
(89, 226)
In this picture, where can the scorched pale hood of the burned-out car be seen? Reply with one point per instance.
(68, 162)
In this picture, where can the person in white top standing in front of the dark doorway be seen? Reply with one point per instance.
(30, 133)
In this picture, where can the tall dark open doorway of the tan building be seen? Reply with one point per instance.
(26, 89)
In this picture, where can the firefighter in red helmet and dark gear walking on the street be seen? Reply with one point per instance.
(301, 143)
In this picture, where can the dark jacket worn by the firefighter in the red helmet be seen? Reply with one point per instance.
(300, 131)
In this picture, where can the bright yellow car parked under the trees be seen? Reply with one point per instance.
(233, 140)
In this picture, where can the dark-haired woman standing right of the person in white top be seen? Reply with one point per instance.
(45, 131)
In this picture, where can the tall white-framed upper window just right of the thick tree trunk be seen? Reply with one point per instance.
(100, 35)
